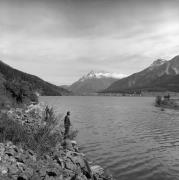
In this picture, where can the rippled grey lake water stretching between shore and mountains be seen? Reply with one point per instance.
(127, 135)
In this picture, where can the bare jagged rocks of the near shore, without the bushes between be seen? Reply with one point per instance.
(65, 162)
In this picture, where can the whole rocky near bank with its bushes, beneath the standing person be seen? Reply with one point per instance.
(23, 160)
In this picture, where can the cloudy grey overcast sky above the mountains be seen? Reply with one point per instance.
(60, 40)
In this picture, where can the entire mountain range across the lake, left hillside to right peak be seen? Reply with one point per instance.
(161, 75)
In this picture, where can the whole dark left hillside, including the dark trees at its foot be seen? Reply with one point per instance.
(15, 84)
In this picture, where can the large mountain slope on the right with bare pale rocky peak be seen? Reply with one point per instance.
(161, 75)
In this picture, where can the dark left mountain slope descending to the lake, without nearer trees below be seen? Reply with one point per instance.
(9, 74)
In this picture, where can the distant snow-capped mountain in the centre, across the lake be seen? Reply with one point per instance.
(94, 82)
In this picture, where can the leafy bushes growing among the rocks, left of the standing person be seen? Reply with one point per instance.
(42, 141)
